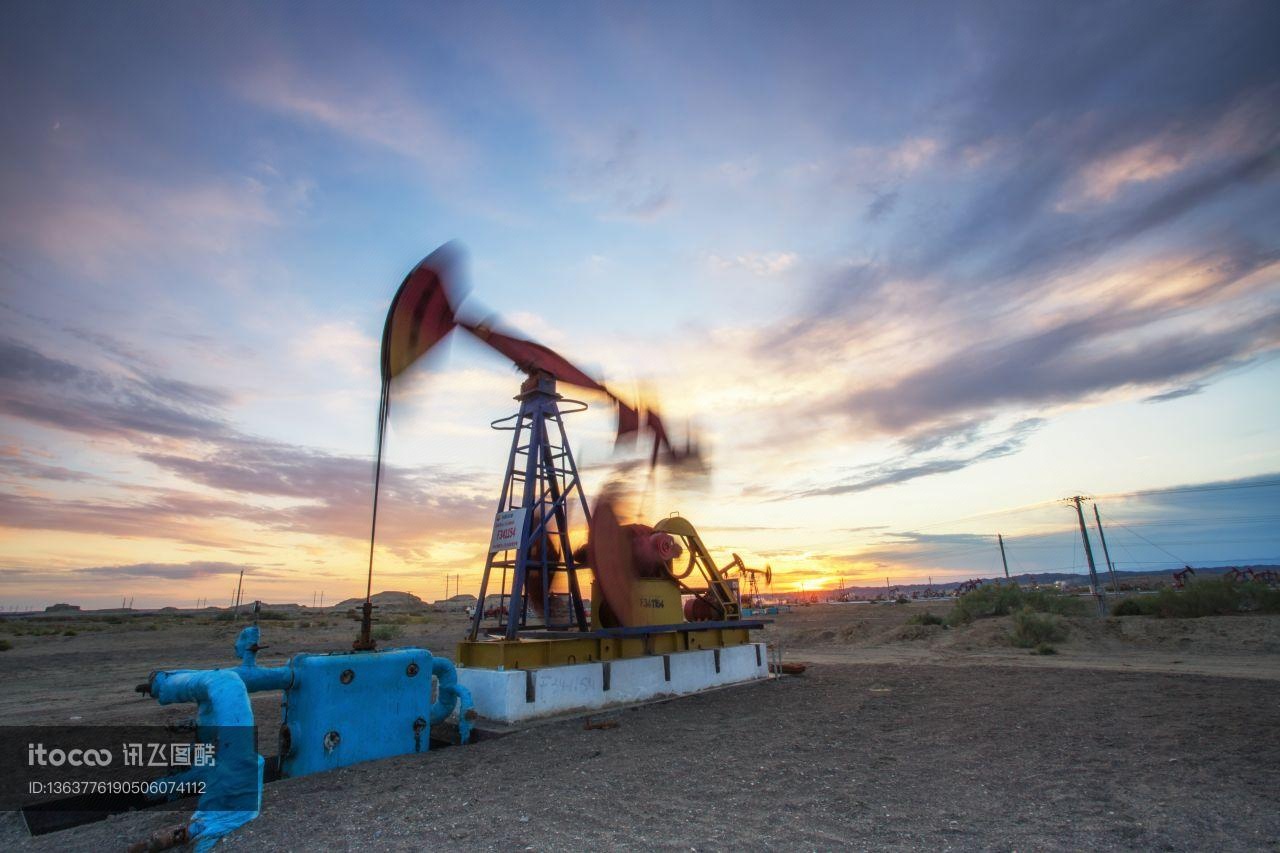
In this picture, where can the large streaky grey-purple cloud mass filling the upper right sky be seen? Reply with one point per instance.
(1103, 245)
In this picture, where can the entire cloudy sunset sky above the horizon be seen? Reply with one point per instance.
(913, 275)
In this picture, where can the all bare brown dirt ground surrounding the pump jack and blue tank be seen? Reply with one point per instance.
(1139, 735)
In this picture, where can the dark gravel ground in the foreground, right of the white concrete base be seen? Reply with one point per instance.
(852, 755)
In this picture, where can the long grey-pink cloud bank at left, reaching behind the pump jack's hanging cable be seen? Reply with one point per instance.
(181, 428)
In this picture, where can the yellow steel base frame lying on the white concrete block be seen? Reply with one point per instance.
(537, 654)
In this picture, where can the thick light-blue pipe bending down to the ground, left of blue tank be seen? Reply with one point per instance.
(234, 784)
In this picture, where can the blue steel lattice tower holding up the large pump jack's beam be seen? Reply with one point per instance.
(543, 480)
